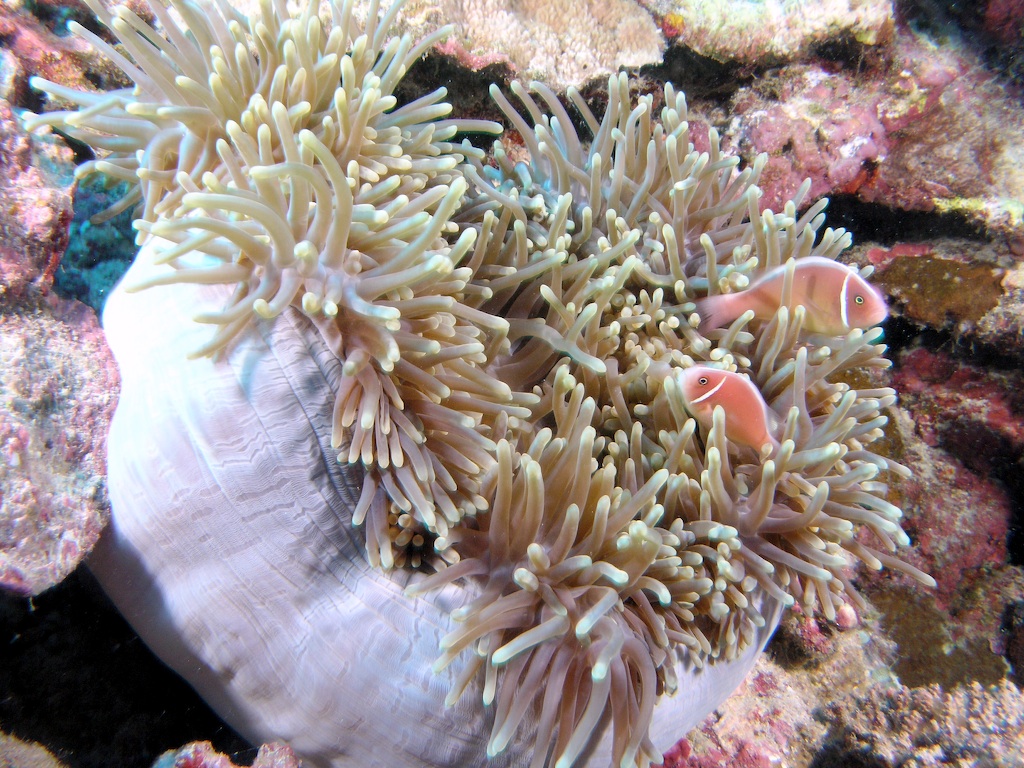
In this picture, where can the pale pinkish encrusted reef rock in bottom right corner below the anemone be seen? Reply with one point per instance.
(875, 723)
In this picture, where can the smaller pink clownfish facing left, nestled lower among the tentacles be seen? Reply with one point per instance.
(748, 418)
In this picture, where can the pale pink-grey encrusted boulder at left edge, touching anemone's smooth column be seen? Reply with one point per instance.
(58, 392)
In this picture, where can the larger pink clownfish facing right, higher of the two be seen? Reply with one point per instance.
(836, 298)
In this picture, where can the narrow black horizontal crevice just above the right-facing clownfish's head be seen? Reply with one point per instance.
(870, 222)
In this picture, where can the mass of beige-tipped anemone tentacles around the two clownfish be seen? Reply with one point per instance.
(514, 338)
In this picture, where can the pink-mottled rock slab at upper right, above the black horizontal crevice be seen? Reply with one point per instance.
(920, 129)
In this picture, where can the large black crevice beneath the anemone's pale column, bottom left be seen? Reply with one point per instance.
(76, 677)
